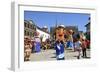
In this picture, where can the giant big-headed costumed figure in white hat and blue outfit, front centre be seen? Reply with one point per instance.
(59, 45)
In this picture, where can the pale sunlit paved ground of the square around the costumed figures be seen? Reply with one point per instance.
(49, 55)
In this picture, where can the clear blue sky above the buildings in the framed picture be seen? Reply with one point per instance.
(51, 18)
